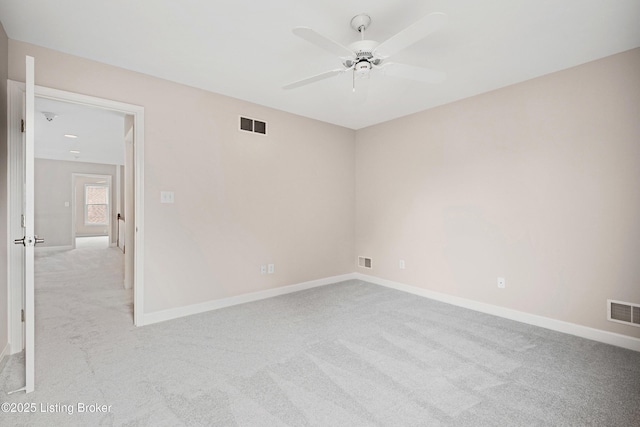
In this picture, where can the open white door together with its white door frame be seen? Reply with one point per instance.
(21, 206)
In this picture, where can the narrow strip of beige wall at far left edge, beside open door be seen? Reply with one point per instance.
(4, 289)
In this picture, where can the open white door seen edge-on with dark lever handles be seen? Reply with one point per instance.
(29, 239)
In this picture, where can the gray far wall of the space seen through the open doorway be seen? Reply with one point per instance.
(53, 187)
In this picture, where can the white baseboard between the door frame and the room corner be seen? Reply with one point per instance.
(174, 313)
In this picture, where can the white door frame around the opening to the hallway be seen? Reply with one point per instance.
(16, 93)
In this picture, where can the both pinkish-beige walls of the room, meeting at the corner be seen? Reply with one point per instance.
(535, 182)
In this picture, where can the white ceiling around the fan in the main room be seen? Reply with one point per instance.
(245, 48)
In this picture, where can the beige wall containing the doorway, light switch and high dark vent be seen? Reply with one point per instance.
(241, 200)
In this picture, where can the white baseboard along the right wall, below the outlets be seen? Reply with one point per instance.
(599, 335)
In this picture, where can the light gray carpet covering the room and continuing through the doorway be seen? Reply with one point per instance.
(349, 354)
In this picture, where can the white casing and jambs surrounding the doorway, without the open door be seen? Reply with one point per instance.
(133, 185)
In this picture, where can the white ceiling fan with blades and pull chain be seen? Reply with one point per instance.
(363, 56)
